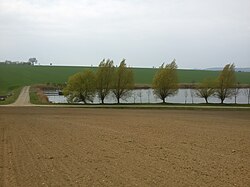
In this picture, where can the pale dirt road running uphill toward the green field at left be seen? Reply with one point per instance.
(23, 99)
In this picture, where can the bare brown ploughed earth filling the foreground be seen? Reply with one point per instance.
(42, 146)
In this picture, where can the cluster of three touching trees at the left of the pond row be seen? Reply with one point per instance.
(83, 86)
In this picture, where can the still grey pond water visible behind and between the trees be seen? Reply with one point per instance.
(147, 96)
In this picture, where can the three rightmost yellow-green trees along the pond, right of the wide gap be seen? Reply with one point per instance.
(165, 83)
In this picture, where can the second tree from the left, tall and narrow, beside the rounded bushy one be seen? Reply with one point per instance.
(104, 78)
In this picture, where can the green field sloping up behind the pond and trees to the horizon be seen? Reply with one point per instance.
(14, 76)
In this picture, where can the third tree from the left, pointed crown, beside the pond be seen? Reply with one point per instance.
(123, 81)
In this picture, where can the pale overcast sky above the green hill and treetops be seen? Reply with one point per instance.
(197, 33)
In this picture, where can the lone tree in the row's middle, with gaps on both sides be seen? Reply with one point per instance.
(165, 82)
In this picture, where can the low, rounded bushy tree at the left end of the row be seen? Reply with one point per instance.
(81, 87)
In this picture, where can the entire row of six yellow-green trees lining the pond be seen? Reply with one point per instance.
(108, 79)
